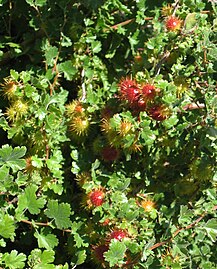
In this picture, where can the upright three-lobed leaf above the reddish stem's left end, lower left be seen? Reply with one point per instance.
(28, 200)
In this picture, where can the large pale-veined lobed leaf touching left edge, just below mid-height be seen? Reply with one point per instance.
(11, 157)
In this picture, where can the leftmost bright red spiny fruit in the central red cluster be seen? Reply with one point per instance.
(129, 90)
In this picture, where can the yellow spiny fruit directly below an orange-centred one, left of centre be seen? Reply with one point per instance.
(80, 125)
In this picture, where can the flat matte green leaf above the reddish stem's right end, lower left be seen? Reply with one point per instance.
(60, 213)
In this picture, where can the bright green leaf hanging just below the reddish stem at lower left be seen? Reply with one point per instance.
(48, 241)
